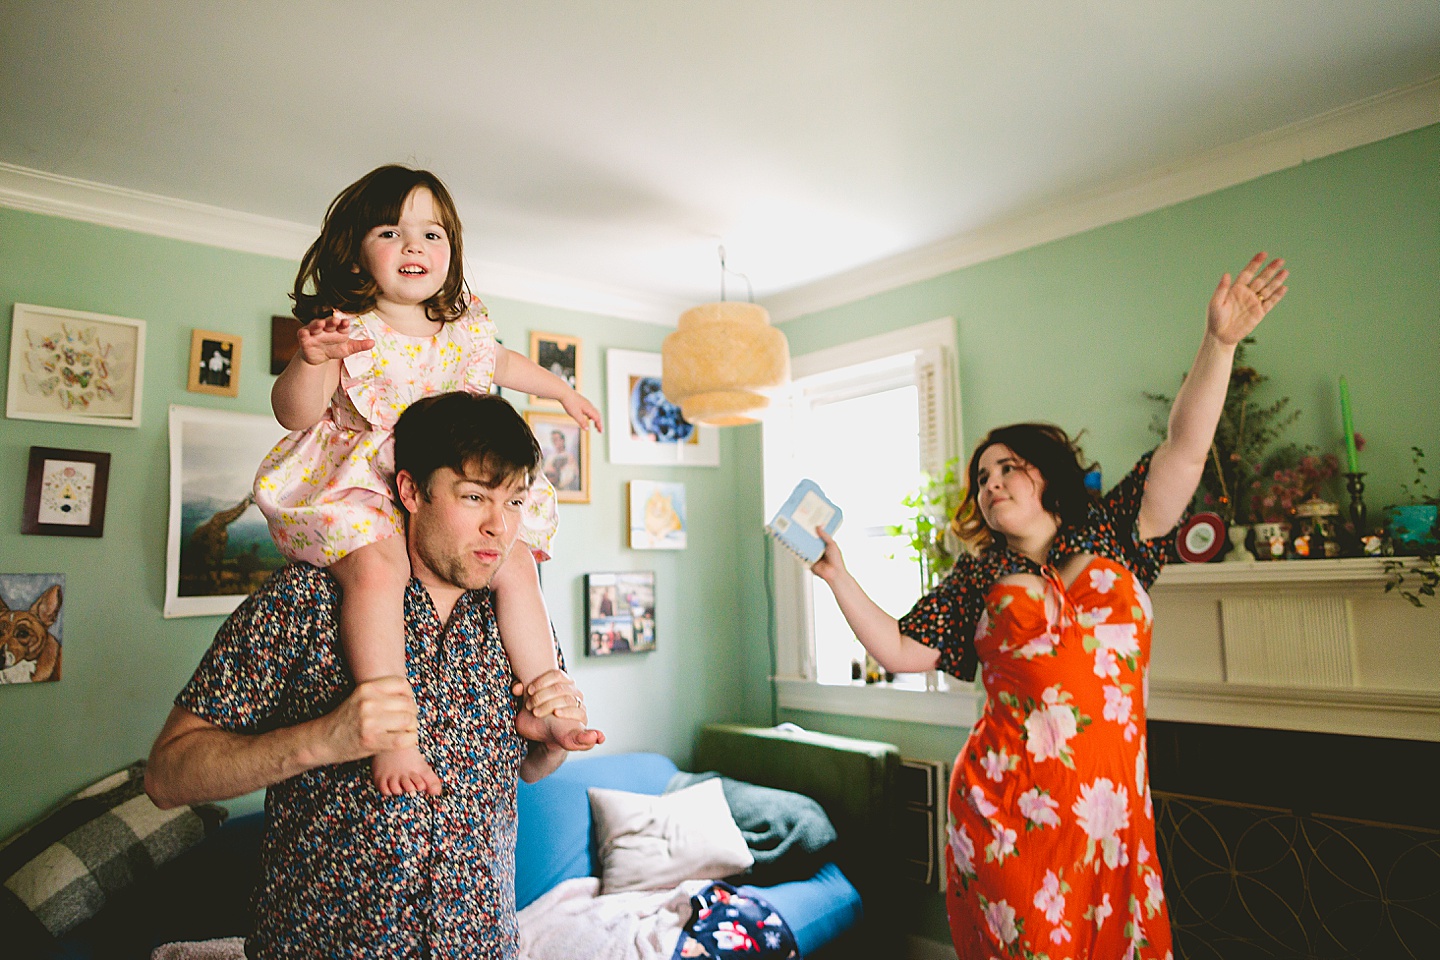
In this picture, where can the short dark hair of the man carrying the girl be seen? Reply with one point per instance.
(466, 431)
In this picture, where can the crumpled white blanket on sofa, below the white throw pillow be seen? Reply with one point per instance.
(572, 922)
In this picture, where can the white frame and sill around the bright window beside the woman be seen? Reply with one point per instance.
(938, 385)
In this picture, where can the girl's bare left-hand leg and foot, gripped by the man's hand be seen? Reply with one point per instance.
(372, 631)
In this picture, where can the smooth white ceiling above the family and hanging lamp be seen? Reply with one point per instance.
(610, 146)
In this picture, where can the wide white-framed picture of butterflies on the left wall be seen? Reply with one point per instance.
(70, 366)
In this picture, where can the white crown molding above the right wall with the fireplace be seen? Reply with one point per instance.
(1359, 124)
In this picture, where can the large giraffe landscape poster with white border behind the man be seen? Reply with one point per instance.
(214, 457)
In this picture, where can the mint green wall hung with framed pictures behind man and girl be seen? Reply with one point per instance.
(123, 663)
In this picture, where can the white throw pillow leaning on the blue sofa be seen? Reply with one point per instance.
(654, 843)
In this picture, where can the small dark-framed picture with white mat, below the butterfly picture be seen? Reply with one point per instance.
(66, 493)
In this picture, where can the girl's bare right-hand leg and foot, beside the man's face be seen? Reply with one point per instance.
(525, 630)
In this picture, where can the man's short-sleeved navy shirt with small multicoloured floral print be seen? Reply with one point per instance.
(349, 873)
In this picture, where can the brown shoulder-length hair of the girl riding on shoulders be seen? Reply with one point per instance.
(332, 263)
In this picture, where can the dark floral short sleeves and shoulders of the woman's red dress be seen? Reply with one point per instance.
(948, 615)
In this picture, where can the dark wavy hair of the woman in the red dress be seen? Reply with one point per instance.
(1050, 451)
